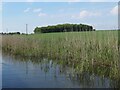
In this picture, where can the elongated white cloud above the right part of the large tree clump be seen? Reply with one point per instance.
(85, 13)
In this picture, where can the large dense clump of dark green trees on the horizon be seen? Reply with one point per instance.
(64, 28)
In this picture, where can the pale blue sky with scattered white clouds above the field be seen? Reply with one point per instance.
(15, 15)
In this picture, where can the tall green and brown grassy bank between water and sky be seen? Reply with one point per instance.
(82, 50)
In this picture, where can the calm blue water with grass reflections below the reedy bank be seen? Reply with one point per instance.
(43, 73)
